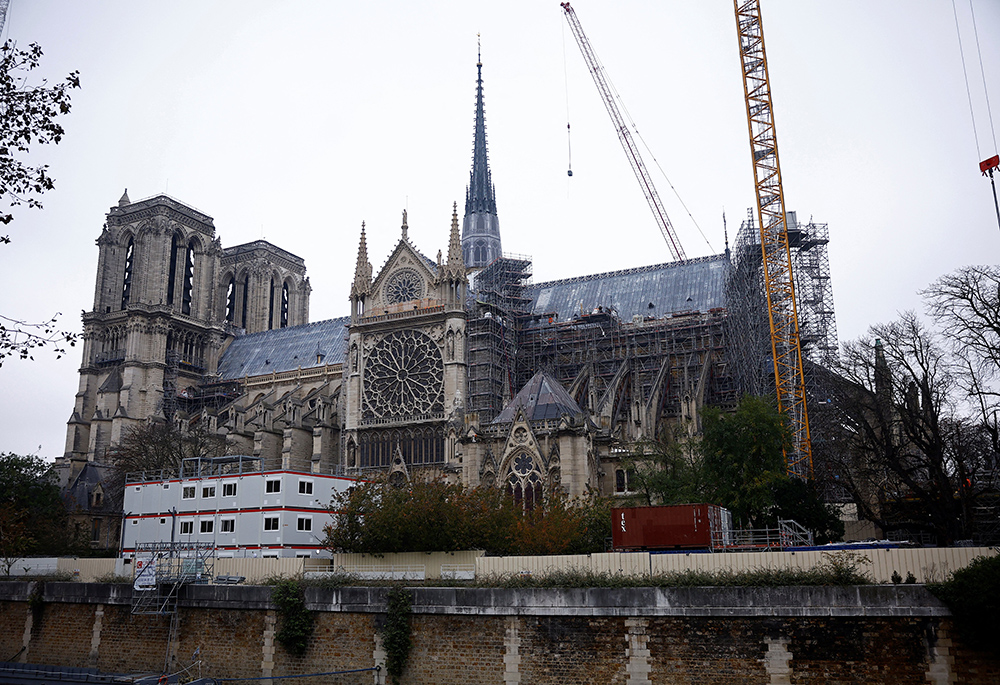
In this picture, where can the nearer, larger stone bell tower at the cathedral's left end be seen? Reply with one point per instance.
(154, 329)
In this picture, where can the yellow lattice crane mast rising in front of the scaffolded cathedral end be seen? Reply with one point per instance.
(777, 260)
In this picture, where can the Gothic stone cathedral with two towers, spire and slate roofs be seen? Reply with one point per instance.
(456, 366)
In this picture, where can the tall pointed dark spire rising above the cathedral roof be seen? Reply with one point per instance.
(481, 227)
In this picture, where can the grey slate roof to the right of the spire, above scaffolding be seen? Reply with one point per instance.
(695, 285)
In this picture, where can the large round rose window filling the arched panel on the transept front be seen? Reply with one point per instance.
(404, 376)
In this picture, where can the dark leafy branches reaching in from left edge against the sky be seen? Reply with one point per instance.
(28, 116)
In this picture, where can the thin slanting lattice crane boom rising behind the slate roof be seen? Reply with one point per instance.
(624, 136)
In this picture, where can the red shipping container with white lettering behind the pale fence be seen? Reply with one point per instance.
(680, 526)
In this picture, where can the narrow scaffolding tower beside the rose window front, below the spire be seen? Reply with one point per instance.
(499, 312)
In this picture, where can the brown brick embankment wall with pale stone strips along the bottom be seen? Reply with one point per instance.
(463, 636)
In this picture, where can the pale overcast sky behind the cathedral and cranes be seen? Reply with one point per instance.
(296, 121)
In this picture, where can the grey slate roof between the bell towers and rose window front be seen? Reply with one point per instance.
(285, 349)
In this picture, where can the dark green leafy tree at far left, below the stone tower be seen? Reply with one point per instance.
(33, 519)
